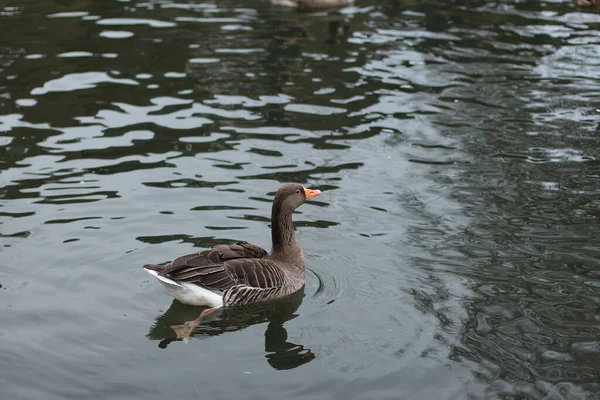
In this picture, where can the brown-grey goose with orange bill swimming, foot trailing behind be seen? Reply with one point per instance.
(241, 273)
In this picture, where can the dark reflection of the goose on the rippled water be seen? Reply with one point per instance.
(281, 354)
